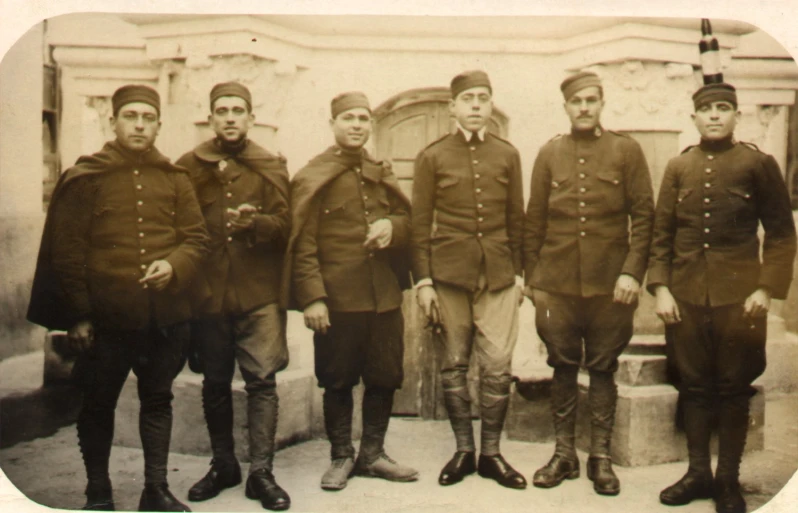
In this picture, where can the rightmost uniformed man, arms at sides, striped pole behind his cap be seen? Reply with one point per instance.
(713, 291)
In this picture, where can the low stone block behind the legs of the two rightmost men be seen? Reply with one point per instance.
(645, 432)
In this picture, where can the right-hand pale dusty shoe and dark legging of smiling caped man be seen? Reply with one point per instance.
(372, 460)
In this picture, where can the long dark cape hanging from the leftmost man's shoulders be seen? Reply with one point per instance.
(47, 297)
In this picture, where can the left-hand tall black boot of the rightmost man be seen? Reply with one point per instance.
(697, 417)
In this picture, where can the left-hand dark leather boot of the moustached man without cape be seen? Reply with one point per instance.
(564, 464)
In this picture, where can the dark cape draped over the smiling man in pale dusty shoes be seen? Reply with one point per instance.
(305, 188)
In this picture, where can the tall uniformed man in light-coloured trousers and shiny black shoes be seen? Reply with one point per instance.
(468, 210)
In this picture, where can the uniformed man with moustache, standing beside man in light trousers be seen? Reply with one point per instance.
(586, 241)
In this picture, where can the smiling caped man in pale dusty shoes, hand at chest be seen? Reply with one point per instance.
(350, 227)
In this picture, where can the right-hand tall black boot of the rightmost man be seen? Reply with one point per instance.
(733, 418)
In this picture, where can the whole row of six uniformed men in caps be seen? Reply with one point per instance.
(139, 255)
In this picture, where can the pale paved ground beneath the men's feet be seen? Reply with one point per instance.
(49, 471)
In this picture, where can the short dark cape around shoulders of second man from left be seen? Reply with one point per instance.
(270, 166)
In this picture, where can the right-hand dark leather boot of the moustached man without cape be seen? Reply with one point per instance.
(602, 397)
